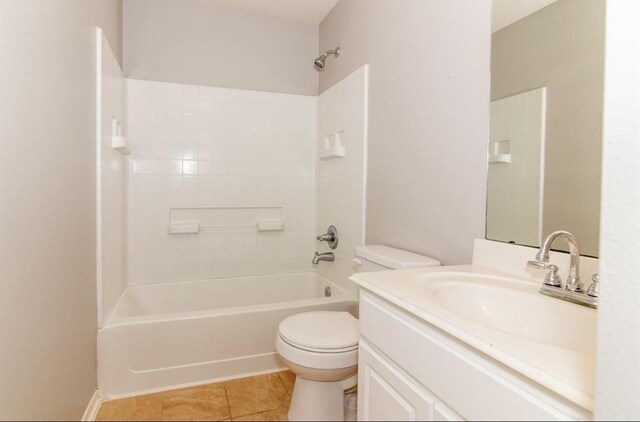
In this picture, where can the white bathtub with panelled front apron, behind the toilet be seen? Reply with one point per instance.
(171, 335)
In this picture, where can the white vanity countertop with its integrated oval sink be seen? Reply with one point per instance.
(535, 340)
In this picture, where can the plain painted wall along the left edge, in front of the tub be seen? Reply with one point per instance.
(47, 209)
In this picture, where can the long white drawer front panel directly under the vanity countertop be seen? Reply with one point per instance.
(474, 385)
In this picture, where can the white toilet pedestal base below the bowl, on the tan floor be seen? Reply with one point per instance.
(318, 400)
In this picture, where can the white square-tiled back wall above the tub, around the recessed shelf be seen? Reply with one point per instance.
(196, 146)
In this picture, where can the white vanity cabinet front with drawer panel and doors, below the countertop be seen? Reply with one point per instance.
(410, 370)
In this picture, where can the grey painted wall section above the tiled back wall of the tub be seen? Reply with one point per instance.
(195, 42)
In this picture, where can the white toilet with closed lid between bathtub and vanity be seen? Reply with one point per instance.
(321, 348)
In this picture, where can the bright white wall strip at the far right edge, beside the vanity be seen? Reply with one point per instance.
(618, 366)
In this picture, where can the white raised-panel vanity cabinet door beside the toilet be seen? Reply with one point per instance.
(385, 394)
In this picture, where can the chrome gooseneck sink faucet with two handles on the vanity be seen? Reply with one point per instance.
(573, 288)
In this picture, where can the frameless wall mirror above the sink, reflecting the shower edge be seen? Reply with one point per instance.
(545, 143)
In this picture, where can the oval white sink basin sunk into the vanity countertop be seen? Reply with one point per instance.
(514, 307)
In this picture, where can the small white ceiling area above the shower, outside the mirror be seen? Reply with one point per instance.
(307, 11)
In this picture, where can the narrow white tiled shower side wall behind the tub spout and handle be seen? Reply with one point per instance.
(341, 181)
